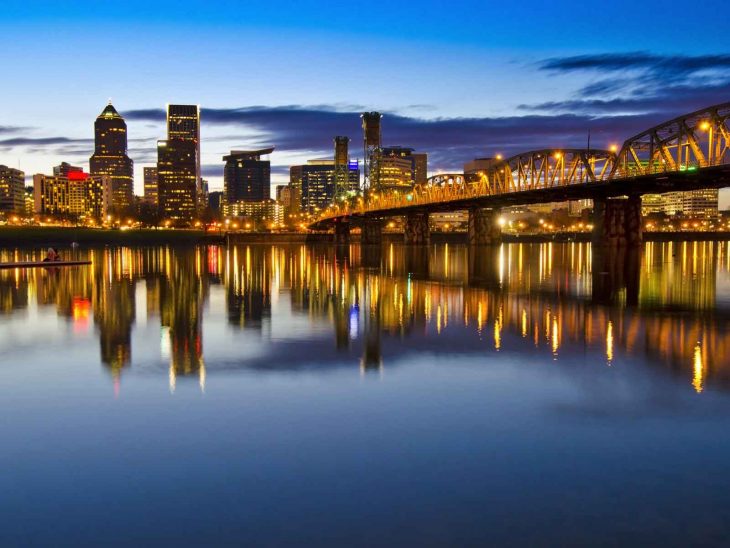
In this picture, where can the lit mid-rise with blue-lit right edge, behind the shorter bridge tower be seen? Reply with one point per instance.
(317, 182)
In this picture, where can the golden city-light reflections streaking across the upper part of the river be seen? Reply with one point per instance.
(666, 305)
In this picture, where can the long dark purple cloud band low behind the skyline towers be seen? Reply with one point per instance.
(309, 130)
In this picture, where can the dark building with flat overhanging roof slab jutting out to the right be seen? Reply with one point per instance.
(246, 178)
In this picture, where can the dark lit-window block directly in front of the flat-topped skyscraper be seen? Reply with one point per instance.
(176, 180)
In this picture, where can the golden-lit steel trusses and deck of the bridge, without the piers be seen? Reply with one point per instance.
(687, 153)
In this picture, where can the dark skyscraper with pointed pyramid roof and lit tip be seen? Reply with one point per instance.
(110, 156)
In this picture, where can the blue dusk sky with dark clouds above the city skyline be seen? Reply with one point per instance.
(458, 80)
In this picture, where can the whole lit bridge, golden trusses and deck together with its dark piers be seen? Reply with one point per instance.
(690, 152)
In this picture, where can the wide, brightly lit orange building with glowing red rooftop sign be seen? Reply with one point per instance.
(76, 195)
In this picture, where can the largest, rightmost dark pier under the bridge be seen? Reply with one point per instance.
(617, 222)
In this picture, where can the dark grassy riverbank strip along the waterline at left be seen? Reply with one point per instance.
(13, 236)
